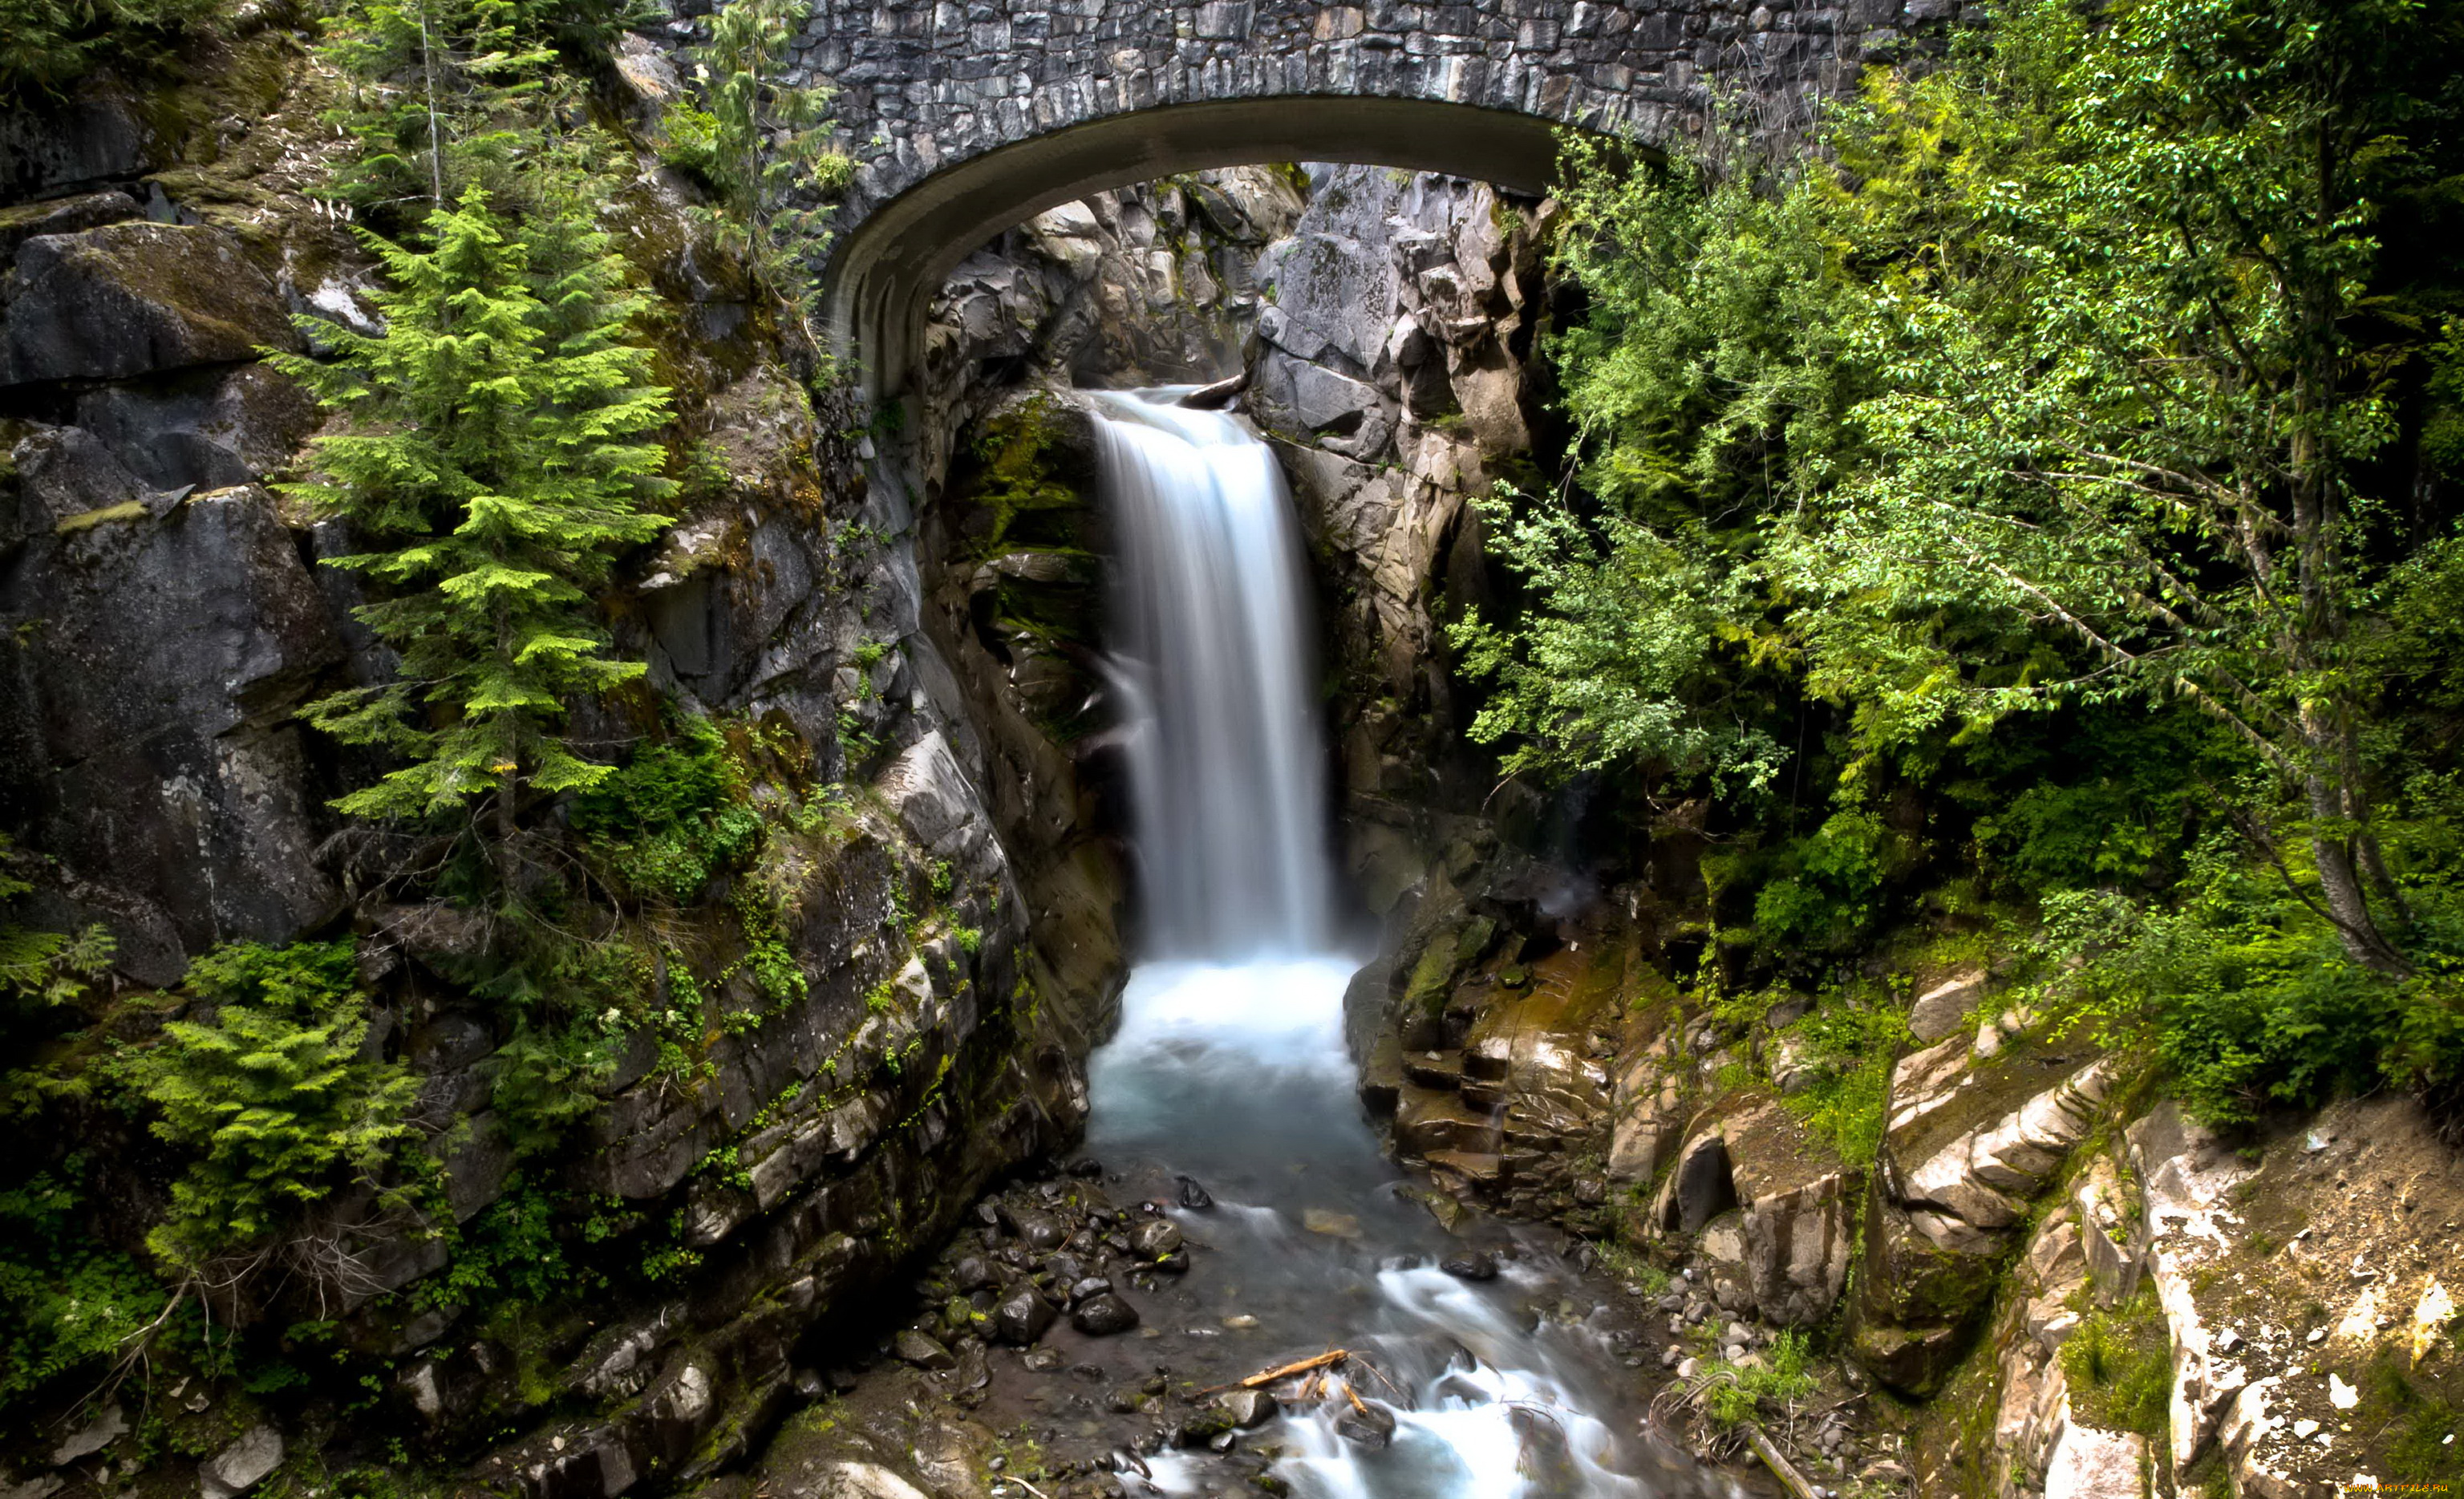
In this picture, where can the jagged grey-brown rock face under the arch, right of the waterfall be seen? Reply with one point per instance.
(1388, 371)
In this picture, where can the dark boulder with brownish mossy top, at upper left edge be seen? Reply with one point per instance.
(134, 300)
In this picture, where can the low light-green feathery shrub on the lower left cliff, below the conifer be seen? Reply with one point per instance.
(270, 1096)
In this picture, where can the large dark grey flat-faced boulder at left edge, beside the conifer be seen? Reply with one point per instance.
(152, 743)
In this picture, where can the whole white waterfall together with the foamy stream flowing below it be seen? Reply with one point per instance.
(1231, 1064)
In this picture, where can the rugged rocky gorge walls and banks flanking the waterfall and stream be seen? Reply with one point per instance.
(841, 1227)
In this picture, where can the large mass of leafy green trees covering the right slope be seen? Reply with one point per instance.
(2044, 489)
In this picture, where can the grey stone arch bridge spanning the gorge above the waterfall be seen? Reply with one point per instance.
(975, 115)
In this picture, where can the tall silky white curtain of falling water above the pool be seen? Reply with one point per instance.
(1226, 763)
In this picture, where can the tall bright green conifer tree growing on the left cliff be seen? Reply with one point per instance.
(494, 465)
